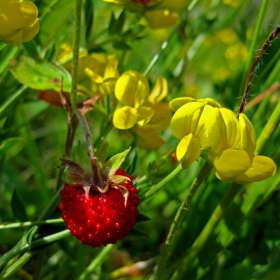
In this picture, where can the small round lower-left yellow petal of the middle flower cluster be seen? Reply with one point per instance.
(125, 117)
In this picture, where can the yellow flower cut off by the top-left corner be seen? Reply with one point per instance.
(18, 21)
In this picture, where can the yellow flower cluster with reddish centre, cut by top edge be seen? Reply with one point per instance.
(158, 14)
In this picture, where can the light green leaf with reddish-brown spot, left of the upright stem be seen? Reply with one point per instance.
(40, 74)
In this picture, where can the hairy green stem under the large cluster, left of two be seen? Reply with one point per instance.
(179, 216)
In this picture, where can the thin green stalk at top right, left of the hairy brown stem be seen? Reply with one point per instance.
(254, 40)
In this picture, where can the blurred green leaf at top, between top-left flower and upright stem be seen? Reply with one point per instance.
(52, 20)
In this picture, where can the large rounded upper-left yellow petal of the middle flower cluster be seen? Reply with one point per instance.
(132, 89)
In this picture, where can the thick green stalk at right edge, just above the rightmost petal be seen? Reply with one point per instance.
(269, 128)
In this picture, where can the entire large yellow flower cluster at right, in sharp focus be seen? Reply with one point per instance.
(203, 124)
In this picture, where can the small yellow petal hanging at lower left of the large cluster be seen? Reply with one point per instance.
(188, 150)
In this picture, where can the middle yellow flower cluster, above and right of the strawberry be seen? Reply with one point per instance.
(140, 110)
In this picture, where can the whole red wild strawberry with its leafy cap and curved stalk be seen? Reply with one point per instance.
(99, 202)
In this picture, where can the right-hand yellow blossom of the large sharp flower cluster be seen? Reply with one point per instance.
(232, 149)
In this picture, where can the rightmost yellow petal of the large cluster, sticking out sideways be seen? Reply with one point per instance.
(262, 168)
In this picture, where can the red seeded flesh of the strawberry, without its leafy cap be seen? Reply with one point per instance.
(100, 218)
